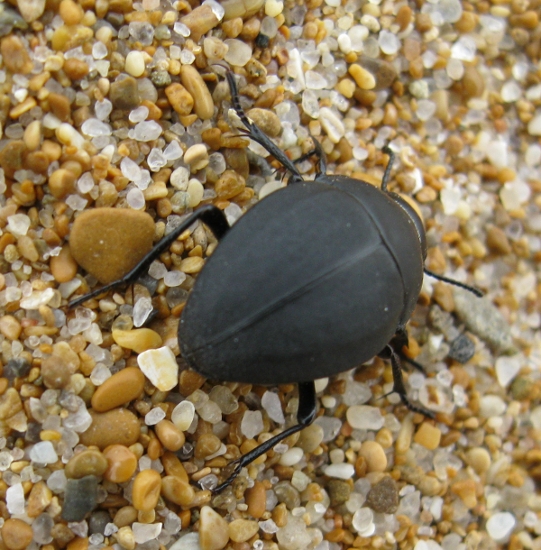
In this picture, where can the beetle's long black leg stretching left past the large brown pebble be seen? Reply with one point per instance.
(209, 214)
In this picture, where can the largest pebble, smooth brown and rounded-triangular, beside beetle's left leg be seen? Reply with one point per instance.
(108, 242)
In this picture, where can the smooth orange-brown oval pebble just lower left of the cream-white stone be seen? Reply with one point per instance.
(119, 389)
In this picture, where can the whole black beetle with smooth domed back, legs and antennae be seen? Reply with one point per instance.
(315, 279)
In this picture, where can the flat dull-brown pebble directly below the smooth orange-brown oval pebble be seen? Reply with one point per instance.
(117, 426)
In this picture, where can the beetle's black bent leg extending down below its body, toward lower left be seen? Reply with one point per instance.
(305, 416)
